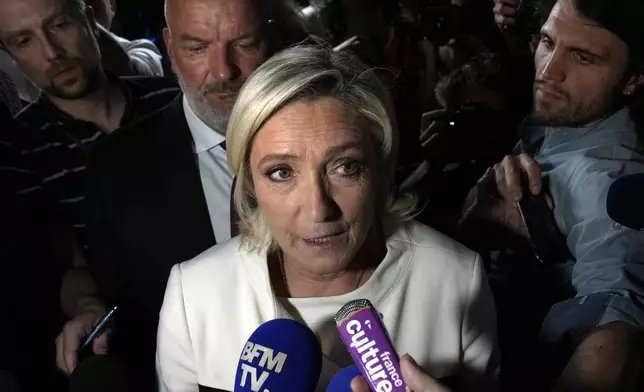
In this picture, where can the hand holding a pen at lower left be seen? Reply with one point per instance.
(69, 340)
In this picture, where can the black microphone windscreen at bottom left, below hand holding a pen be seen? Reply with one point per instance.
(99, 373)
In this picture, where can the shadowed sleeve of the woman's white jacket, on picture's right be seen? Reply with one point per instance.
(481, 358)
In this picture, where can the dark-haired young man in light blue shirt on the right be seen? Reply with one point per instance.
(579, 139)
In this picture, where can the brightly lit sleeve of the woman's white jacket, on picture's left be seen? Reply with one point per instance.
(175, 359)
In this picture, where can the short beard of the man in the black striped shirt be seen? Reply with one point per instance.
(85, 84)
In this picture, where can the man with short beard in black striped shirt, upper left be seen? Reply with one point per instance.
(55, 45)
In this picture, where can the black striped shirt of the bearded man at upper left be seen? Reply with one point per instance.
(44, 158)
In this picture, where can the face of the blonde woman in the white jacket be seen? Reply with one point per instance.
(313, 168)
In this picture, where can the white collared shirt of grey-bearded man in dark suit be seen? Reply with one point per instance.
(216, 176)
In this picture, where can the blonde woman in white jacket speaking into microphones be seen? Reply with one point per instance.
(313, 143)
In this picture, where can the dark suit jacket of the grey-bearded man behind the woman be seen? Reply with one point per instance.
(149, 212)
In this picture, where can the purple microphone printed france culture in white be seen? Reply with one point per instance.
(365, 337)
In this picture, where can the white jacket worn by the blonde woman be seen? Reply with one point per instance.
(431, 291)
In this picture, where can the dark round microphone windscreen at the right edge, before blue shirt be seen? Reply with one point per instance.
(625, 201)
